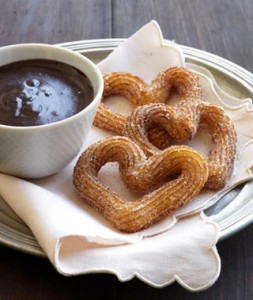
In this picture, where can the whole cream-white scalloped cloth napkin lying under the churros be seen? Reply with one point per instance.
(78, 240)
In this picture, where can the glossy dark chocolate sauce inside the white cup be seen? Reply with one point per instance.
(39, 91)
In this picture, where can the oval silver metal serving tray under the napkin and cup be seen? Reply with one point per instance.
(232, 212)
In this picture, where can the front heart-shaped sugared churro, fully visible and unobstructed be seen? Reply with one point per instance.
(182, 169)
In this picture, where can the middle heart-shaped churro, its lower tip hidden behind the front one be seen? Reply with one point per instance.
(180, 124)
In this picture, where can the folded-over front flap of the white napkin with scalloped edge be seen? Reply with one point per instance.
(186, 254)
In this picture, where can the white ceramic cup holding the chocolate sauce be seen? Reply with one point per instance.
(43, 150)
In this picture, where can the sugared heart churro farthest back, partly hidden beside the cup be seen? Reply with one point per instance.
(138, 92)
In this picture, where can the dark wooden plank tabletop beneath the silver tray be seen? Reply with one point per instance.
(221, 27)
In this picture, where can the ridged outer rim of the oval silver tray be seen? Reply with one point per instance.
(243, 76)
